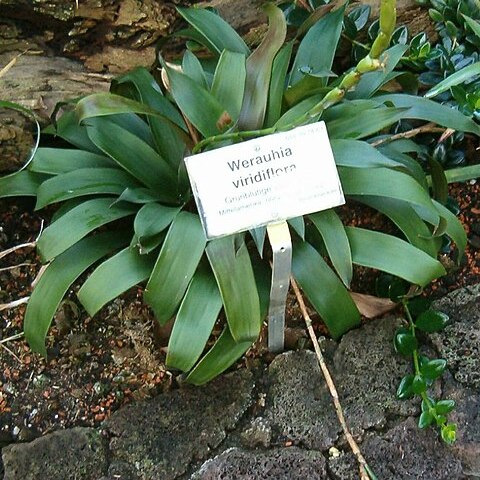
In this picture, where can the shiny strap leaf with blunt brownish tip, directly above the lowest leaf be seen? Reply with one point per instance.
(194, 322)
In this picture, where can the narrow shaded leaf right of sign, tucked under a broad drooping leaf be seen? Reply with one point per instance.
(406, 219)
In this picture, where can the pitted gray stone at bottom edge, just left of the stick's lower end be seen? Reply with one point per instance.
(276, 464)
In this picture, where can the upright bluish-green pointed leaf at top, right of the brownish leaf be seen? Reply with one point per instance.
(322, 37)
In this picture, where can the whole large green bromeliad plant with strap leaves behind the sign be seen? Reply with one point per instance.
(125, 169)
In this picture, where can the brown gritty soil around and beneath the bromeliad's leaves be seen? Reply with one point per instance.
(96, 365)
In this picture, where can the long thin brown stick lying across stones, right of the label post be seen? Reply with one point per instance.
(364, 468)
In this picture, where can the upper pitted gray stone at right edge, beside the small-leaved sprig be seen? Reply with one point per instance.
(459, 342)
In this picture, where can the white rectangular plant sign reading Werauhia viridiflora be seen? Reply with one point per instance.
(265, 180)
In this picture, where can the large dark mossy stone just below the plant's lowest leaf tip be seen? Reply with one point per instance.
(159, 438)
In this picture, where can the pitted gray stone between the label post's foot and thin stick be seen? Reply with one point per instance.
(298, 404)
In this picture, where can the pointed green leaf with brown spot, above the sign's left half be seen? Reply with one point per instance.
(198, 105)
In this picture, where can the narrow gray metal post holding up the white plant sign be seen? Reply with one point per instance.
(281, 242)
